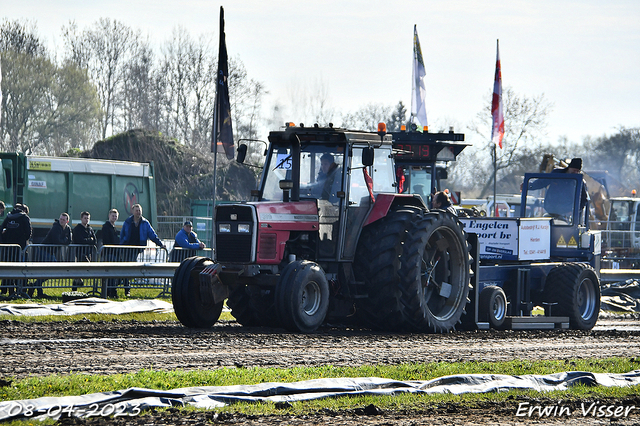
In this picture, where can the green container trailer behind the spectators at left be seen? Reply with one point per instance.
(52, 185)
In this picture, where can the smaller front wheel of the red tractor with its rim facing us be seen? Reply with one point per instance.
(302, 297)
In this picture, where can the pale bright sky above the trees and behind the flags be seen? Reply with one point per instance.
(584, 56)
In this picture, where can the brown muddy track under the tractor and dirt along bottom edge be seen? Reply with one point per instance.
(40, 349)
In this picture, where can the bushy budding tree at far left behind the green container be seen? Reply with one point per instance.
(45, 108)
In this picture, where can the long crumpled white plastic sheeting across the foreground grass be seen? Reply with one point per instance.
(131, 402)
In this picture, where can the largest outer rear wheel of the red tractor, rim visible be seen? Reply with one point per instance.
(435, 273)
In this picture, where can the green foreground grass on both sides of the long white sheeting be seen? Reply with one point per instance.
(78, 384)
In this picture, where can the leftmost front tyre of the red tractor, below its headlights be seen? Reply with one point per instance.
(193, 308)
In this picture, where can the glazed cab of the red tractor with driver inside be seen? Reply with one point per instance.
(338, 171)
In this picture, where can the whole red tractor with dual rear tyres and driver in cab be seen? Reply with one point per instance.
(327, 238)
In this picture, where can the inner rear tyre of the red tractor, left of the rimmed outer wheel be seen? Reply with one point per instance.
(376, 266)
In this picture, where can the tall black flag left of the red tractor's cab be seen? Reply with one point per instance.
(222, 130)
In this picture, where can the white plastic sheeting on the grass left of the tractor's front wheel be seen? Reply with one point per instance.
(91, 305)
